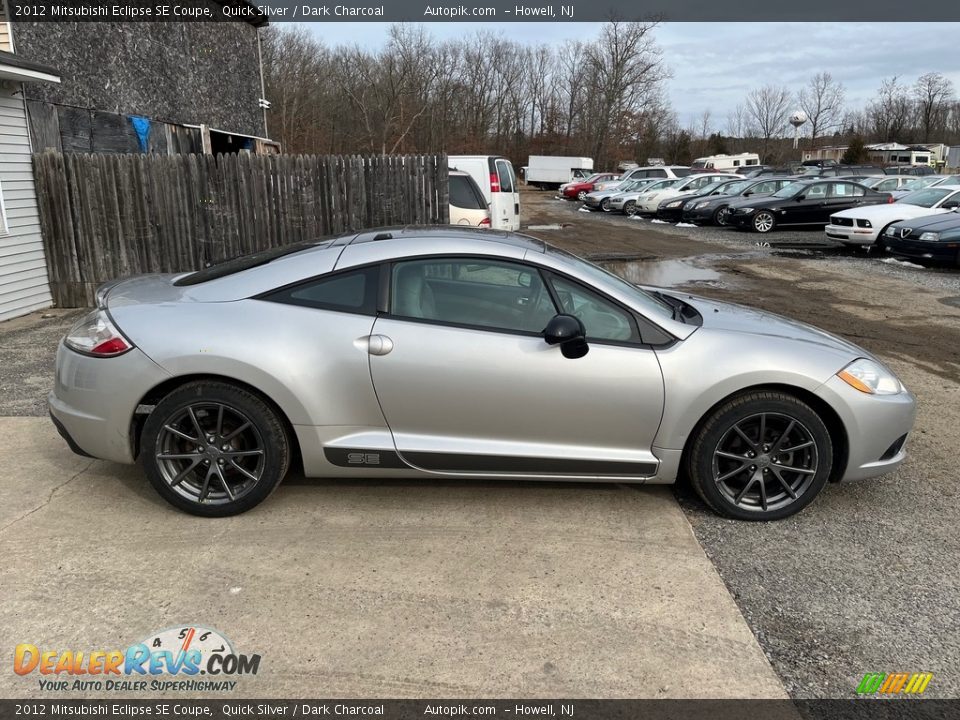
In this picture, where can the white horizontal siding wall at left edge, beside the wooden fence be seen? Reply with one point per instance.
(23, 269)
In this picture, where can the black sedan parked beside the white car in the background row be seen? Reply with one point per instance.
(803, 202)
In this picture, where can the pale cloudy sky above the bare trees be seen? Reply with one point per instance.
(714, 65)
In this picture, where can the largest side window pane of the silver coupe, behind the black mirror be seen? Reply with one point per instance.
(471, 291)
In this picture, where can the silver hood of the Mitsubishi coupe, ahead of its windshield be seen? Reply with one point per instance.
(741, 319)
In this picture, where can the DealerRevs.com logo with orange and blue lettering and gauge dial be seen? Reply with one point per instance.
(190, 658)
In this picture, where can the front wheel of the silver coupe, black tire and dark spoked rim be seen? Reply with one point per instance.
(720, 470)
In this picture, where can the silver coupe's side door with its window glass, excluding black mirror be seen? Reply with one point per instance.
(468, 385)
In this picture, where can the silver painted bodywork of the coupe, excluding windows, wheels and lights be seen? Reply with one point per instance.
(426, 398)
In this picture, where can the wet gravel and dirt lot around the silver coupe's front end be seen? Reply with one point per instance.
(865, 579)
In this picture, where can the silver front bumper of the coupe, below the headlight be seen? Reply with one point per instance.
(876, 426)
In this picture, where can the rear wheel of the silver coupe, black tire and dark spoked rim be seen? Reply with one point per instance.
(248, 457)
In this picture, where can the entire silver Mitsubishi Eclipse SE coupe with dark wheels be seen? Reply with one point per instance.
(425, 352)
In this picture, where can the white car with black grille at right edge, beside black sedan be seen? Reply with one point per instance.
(863, 225)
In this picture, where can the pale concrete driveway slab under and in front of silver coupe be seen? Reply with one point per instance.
(379, 589)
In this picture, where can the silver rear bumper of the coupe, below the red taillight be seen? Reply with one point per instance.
(94, 400)
